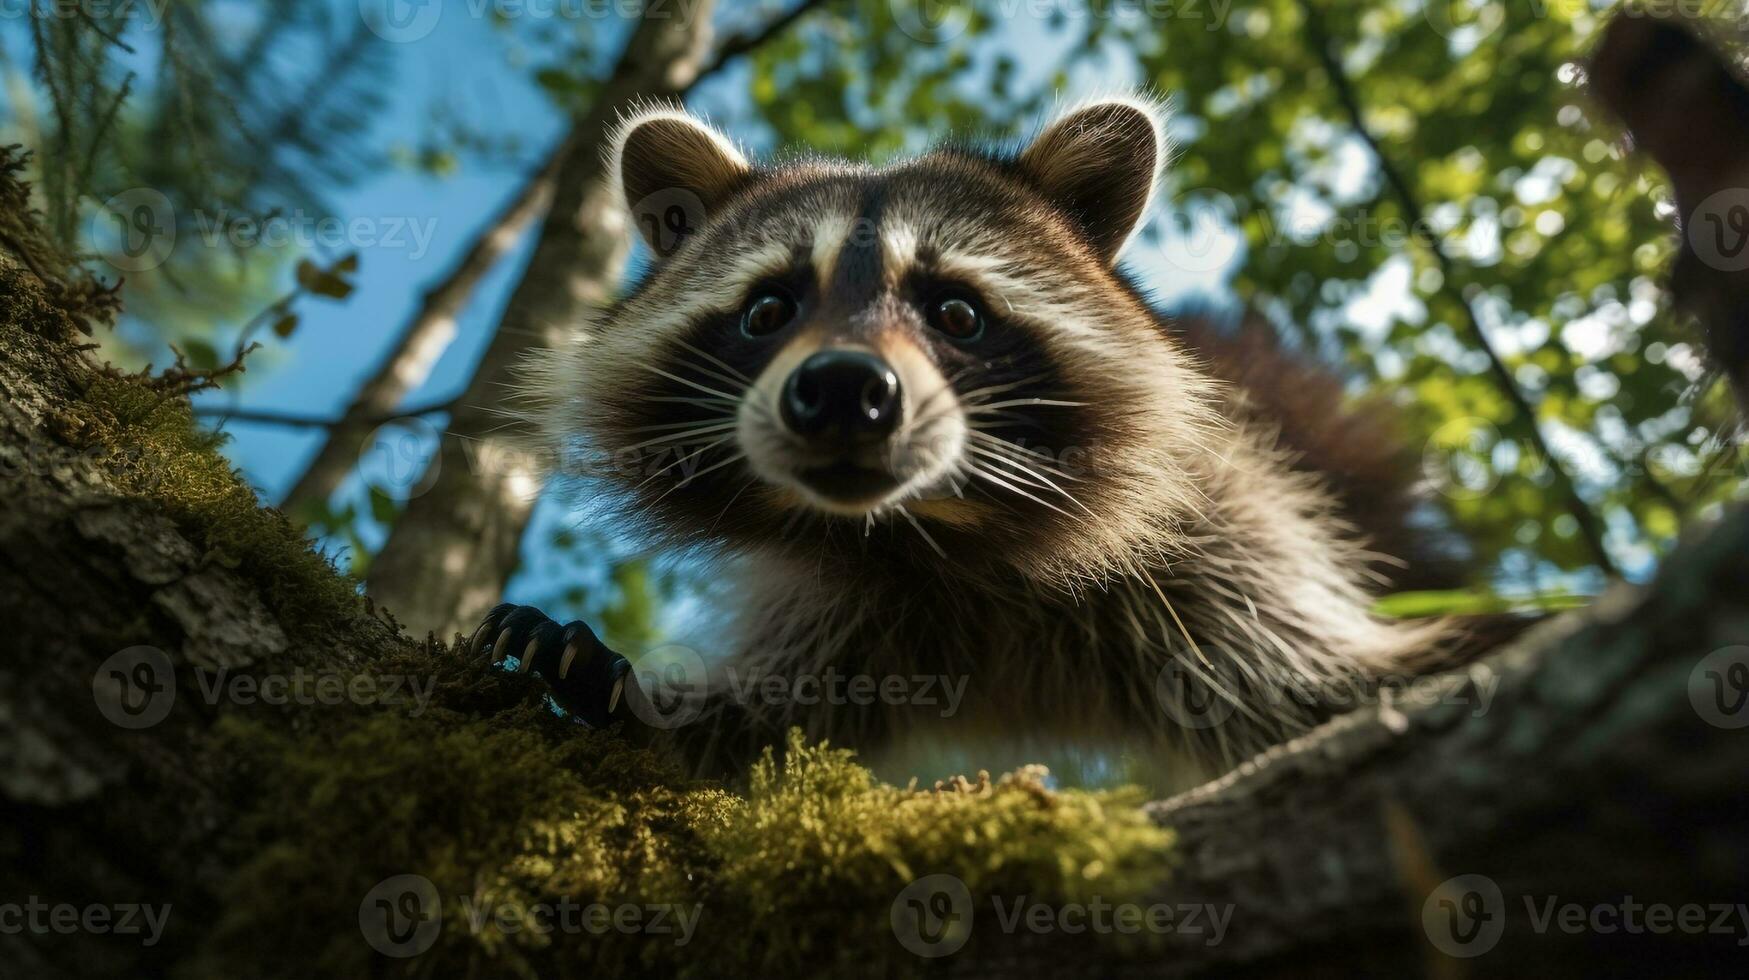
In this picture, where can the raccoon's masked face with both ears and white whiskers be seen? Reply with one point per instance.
(942, 347)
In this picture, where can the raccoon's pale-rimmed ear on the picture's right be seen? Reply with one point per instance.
(1099, 164)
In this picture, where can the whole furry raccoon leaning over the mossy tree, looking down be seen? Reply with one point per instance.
(940, 435)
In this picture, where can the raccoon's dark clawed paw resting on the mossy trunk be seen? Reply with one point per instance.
(587, 678)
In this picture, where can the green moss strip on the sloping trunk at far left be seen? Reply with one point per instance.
(158, 451)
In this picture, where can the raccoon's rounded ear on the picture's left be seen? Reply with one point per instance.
(674, 172)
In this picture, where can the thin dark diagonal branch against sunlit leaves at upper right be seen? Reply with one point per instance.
(1524, 414)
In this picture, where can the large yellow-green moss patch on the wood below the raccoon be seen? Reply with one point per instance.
(506, 808)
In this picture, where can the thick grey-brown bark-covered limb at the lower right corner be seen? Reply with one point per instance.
(1587, 764)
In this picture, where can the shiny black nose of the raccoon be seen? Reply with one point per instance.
(842, 395)
